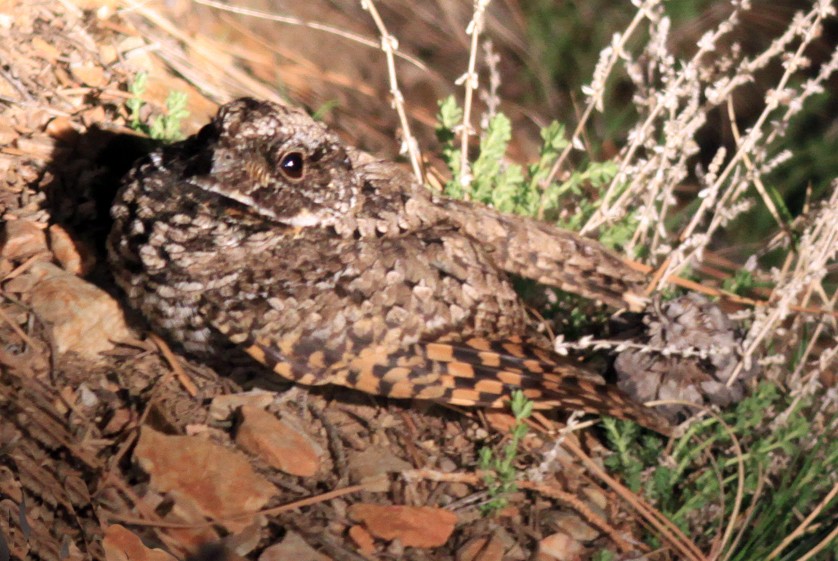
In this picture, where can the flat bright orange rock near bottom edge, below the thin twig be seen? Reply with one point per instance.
(413, 526)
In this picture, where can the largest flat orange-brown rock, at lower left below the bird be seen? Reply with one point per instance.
(215, 480)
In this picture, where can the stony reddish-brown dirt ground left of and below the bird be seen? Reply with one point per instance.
(112, 447)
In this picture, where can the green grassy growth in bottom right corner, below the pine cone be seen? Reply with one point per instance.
(788, 465)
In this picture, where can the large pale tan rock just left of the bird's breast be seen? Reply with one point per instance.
(80, 316)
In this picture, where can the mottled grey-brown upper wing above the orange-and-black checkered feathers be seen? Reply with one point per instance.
(317, 299)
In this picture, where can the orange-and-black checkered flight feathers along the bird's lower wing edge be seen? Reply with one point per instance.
(472, 373)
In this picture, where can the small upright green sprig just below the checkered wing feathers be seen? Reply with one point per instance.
(499, 472)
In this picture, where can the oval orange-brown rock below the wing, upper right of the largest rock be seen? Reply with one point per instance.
(277, 442)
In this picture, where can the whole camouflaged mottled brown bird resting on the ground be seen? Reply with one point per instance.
(265, 233)
